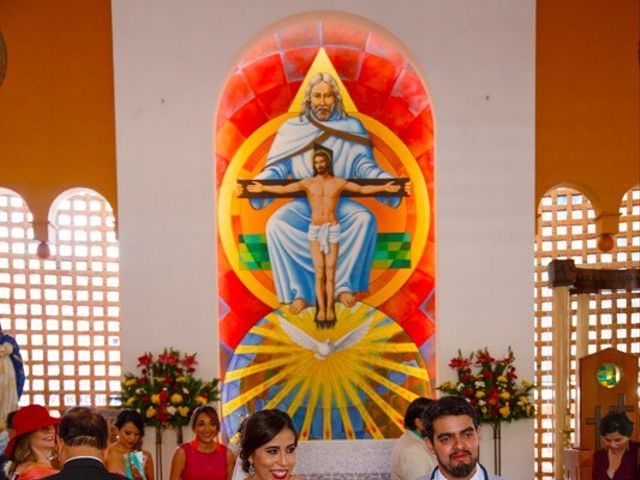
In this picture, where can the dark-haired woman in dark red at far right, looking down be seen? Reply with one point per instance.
(618, 460)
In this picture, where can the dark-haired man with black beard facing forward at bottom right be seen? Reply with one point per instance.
(451, 428)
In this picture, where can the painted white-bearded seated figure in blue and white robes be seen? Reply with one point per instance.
(322, 121)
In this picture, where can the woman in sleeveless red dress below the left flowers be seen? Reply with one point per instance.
(205, 456)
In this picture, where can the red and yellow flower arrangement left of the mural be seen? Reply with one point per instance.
(165, 392)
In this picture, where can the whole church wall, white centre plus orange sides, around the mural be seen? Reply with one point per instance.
(171, 63)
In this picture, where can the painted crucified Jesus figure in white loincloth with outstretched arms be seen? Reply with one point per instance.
(323, 191)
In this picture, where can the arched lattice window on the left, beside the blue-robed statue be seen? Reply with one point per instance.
(63, 311)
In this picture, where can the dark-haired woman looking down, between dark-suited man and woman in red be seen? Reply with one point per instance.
(126, 456)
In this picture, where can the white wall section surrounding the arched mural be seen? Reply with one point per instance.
(171, 62)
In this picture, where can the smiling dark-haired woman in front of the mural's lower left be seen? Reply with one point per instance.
(268, 446)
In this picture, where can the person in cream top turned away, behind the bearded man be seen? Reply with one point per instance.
(410, 458)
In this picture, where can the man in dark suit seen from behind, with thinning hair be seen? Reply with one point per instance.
(83, 435)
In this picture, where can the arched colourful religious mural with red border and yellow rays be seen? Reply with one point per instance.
(324, 143)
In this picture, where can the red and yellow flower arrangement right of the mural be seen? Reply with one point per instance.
(492, 389)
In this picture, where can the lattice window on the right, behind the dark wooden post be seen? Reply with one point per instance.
(567, 230)
